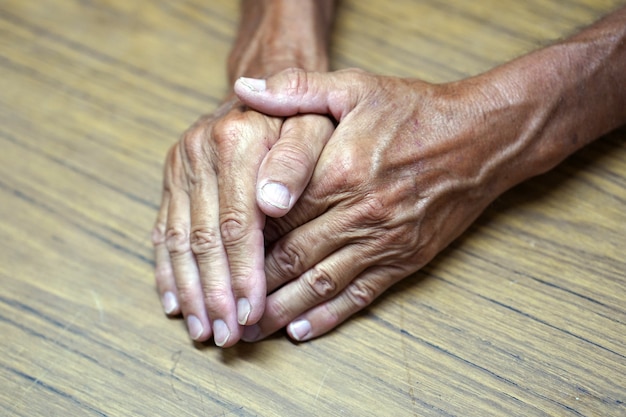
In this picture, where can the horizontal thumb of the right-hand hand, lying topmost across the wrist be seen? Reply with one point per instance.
(294, 91)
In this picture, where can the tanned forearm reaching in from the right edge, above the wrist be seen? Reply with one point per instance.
(558, 99)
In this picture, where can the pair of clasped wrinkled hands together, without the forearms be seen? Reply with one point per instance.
(401, 176)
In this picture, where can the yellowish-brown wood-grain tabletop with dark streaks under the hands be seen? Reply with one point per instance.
(524, 315)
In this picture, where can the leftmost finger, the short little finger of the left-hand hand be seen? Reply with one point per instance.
(164, 275)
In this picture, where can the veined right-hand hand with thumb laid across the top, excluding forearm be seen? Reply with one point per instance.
(408, 168)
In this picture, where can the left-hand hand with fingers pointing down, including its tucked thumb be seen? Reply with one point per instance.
(208, 235)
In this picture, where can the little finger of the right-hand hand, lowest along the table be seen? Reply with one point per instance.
(359, 294)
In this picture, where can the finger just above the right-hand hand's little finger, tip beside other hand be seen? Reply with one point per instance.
(321, 283)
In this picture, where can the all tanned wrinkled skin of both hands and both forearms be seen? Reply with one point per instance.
(408, 168)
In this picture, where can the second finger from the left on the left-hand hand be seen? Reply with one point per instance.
(190, 295)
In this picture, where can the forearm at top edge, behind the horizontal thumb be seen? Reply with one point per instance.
(278, 34)
